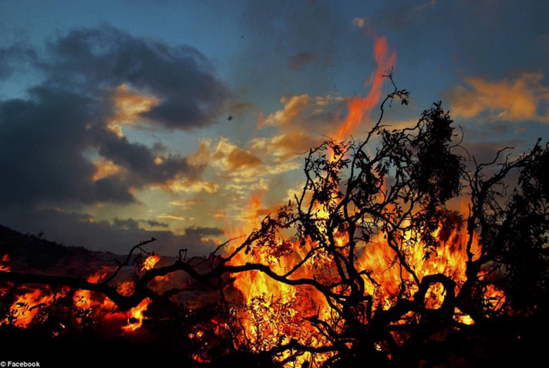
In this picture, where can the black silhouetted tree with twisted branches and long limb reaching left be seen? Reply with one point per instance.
(390, 193)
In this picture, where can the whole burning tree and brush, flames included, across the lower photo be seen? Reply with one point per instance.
(400, 250)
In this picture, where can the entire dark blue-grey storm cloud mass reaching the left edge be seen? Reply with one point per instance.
(46, 139)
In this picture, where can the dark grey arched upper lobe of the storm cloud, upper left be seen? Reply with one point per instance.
(181, 77)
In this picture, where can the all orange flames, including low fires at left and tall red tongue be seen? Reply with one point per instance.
(271, 313)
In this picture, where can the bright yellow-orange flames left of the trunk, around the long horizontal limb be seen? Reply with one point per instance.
(273, 312)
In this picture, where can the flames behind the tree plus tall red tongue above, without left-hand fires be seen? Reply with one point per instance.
(275, 313)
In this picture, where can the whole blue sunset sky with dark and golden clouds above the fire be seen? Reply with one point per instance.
(124, 120)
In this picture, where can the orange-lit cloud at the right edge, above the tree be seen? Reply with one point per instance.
(520, 99)
